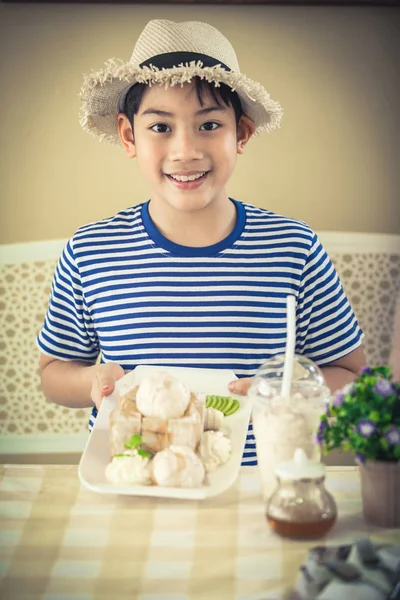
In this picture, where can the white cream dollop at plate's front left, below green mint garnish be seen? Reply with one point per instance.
(129, 467)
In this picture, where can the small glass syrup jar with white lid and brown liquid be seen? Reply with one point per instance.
(301, 507)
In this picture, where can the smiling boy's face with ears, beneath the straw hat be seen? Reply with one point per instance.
(176, 138)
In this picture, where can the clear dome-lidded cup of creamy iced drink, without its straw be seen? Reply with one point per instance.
(282, 424)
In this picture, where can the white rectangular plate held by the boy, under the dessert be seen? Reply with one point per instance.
(96, 455)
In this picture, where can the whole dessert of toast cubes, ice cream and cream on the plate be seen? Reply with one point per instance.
(163, 434)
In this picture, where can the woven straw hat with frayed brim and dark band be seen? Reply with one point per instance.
(171, 53)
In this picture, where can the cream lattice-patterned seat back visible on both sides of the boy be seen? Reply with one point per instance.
(371, 281)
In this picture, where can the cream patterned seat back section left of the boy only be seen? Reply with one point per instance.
(24, 293)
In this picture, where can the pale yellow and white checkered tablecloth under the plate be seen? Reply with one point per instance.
(58, 541)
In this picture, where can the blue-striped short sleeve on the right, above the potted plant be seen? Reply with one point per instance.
(327, 328)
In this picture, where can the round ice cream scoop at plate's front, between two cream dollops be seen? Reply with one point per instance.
(178, 466)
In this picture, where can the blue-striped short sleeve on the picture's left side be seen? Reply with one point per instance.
(68, 332)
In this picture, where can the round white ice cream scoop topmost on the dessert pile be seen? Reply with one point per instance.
(162, 395)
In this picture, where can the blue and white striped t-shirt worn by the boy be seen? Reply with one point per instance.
(123, 290)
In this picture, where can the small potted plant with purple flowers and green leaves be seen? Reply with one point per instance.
(365, 417)
